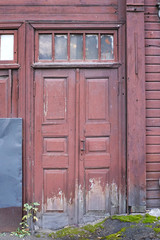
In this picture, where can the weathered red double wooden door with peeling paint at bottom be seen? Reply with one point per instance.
(76, 145)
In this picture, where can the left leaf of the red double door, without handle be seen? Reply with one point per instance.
(54, 144)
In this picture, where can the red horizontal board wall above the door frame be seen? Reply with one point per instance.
(97, 10)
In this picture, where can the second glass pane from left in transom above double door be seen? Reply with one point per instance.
(60, 47)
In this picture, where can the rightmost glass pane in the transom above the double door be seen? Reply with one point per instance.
(107, 47)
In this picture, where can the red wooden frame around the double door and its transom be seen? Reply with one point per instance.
(30, 88)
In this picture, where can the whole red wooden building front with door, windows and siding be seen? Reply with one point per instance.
(84, 76)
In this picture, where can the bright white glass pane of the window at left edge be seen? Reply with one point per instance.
(7, 47)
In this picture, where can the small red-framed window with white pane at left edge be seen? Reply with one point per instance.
(8, 48)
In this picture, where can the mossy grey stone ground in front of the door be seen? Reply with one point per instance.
(140, 227)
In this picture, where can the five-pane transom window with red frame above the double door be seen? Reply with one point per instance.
(95, 46)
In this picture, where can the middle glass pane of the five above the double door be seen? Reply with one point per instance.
(76, 46)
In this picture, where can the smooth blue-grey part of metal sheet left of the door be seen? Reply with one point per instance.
(10, 162)
